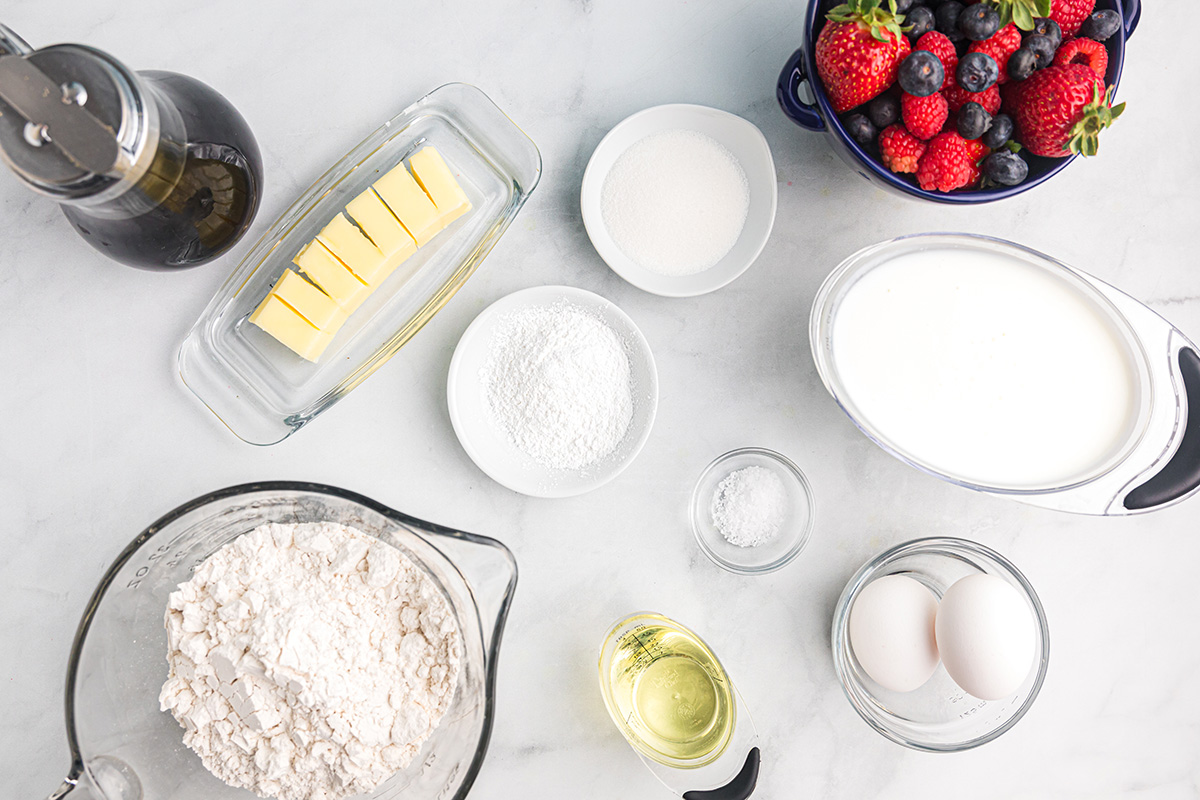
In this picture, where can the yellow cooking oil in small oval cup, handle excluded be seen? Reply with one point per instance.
(669, 693)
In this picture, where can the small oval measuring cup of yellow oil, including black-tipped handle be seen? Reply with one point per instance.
(677, 708)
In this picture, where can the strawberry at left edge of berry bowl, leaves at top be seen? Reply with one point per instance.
(860, 52)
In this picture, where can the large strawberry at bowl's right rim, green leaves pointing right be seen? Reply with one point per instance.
(1061, 110)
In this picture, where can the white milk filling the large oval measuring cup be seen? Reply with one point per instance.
(986, 369)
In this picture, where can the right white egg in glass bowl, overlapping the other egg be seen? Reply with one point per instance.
(987, 636)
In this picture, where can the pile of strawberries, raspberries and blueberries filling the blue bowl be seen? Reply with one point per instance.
(956, 93)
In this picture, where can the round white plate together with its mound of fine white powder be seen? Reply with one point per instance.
(553, 392)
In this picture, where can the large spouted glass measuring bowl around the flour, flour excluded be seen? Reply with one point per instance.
(125, 749)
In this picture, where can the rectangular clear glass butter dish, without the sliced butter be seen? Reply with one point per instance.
(262, 390)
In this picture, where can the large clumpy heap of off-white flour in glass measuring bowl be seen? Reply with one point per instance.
(309, 661)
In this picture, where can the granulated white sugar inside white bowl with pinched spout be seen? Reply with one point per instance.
(676, 202)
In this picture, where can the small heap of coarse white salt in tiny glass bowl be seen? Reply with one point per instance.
(751, 507)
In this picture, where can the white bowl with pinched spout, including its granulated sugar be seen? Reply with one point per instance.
(680, 200)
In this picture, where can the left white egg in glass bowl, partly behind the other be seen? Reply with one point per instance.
(892, 633)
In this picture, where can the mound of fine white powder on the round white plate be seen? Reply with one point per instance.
(559, 386)
